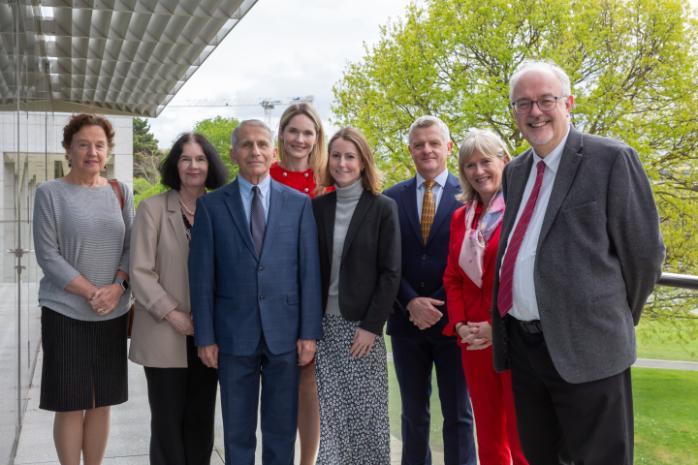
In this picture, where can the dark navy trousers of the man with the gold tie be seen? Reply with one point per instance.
(414, 358)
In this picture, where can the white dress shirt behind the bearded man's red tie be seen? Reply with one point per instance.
(524, 302)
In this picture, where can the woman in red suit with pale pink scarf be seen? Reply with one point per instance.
(468, 280)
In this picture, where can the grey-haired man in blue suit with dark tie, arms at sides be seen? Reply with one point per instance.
(256, 302)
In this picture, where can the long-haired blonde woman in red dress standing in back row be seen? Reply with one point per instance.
(302, 153)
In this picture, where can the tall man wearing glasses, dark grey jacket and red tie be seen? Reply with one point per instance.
(580, 253)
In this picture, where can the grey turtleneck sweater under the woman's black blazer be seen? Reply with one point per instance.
(347, 199)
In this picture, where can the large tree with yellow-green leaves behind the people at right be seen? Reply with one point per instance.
(634, 71)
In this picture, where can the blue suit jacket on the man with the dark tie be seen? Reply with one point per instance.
(236, 297)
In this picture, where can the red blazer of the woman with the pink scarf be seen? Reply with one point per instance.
(464, 300)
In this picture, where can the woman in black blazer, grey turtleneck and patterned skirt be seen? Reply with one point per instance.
(359, 237)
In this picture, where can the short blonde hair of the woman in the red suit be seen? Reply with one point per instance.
(489, 144)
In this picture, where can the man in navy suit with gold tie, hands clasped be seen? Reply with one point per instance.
(425, 205)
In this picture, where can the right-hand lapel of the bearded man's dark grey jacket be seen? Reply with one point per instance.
(567, 169)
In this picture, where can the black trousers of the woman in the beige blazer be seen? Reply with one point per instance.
(182, 405)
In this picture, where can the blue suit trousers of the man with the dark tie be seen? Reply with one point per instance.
(240, 378)
